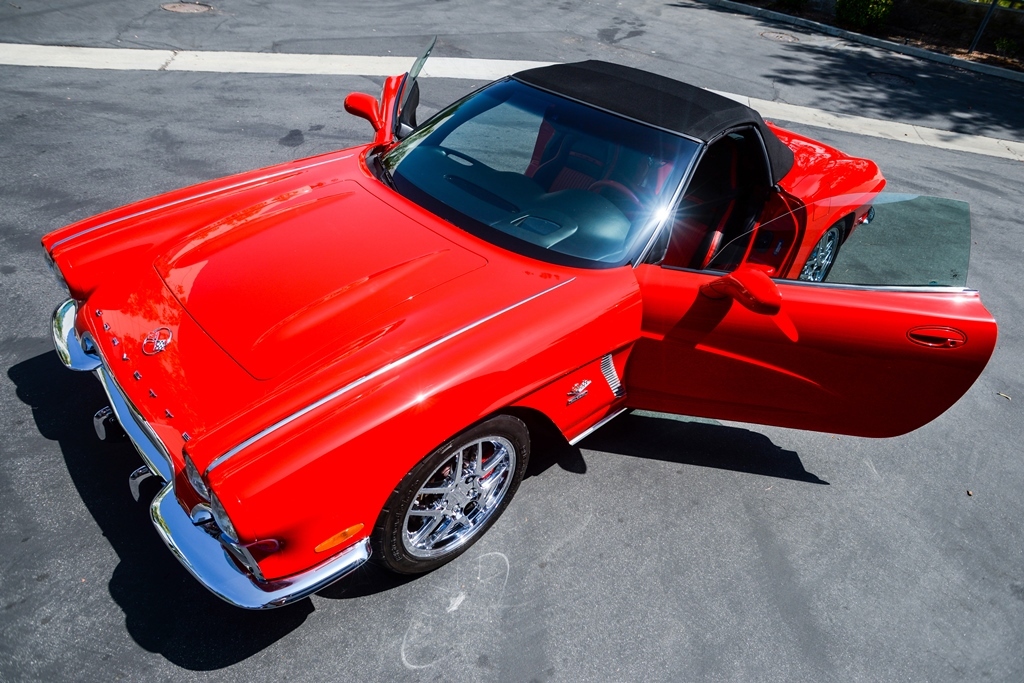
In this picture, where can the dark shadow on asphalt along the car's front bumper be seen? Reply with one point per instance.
(166, 611)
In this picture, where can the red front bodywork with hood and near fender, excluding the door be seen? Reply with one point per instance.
(229, 287)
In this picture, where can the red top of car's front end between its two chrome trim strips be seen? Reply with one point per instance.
(274, 289)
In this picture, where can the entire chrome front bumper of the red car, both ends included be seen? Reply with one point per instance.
(200, 552)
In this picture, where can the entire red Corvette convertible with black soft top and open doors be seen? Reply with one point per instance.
(348, 355)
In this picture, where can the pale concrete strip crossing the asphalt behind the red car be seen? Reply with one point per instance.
(482, 70)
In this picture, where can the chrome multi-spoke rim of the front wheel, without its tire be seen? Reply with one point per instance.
(459, 497)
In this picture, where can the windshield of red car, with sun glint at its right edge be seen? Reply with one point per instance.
(543, 176)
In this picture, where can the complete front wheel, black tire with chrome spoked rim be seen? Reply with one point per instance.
(445, 505)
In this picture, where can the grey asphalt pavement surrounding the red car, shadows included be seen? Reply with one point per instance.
(660, 549)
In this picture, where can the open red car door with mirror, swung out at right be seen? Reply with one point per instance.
(866, 360)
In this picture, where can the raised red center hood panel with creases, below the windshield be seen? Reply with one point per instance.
(301, 274)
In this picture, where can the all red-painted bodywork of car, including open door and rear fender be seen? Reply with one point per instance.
(340, 333)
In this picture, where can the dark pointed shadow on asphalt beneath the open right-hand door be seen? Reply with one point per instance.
(698, 443)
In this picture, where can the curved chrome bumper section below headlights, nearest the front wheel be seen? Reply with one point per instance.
(207, 561)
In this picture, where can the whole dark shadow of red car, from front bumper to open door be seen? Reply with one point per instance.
(167, 612)
